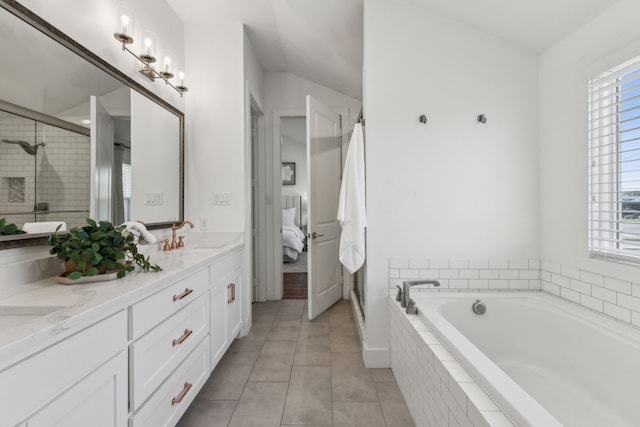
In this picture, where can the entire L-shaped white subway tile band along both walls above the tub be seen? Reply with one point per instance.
(612, 296)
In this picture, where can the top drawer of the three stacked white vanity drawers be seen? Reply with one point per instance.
(147, 313)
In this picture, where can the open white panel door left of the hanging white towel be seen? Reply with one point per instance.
(324, 136)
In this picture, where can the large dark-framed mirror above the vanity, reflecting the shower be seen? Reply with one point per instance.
(78, 138)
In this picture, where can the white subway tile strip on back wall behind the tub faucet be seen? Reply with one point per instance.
(467, 274)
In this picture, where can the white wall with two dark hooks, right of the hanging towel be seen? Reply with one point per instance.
(452, 188)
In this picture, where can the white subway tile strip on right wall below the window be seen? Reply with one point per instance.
(617, 298)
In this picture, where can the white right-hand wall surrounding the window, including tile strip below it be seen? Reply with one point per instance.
(567, 271)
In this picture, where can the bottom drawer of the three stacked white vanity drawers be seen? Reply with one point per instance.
(173, 397)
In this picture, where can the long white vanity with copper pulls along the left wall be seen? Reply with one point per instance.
(135, 361)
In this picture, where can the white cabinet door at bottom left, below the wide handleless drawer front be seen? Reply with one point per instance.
(98, 400)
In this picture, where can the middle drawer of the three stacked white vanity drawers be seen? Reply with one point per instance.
(159, 352)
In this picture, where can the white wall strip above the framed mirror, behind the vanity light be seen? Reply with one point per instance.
(93, 23)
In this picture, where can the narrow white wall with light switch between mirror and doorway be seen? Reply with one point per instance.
(216, 125)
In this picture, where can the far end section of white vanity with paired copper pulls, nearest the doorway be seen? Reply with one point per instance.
(226, 315)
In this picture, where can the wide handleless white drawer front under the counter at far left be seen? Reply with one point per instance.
(36, 380)
